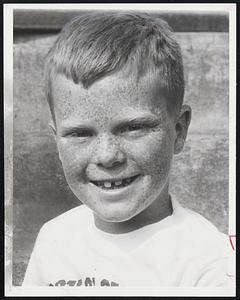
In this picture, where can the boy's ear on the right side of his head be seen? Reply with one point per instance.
(181, 128)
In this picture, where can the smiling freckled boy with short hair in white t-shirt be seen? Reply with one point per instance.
(115, 87)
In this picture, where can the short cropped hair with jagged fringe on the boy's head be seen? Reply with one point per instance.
(93, 45)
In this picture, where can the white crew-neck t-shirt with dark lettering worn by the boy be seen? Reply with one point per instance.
(183, 249)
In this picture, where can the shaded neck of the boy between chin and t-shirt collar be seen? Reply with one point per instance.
(157, 211)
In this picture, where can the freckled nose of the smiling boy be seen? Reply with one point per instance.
(108, 153)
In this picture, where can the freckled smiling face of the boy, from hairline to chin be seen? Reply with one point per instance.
(115, 141)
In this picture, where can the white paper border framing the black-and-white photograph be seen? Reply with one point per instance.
(11, 290)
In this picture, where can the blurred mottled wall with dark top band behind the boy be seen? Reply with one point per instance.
(200, 172)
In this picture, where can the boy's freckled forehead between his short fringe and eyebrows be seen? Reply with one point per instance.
(114, 91)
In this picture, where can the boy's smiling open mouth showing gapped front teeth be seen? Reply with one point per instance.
(114, 184)
